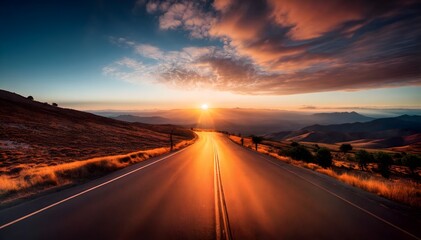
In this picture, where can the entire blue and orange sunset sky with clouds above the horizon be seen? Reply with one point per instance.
(148, 54)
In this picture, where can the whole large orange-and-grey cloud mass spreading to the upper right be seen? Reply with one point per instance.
(286, 47)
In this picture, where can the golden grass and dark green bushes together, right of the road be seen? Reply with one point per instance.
(392, 175)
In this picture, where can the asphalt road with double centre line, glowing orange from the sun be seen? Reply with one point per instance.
(213, 189)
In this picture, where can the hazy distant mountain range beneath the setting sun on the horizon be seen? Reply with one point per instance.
(239, 120)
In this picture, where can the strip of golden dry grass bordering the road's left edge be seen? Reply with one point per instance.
(29, 179)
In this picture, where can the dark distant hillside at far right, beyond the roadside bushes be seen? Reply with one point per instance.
(402, 131)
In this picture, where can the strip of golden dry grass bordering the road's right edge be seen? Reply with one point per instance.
(400, 190)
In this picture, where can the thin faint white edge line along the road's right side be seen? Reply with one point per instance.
(343, 199)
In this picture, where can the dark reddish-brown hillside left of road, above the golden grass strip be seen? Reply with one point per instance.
(38, 133)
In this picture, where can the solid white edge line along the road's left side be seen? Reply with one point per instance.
(87, 190)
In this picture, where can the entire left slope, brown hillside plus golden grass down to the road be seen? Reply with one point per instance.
(44, 146)
